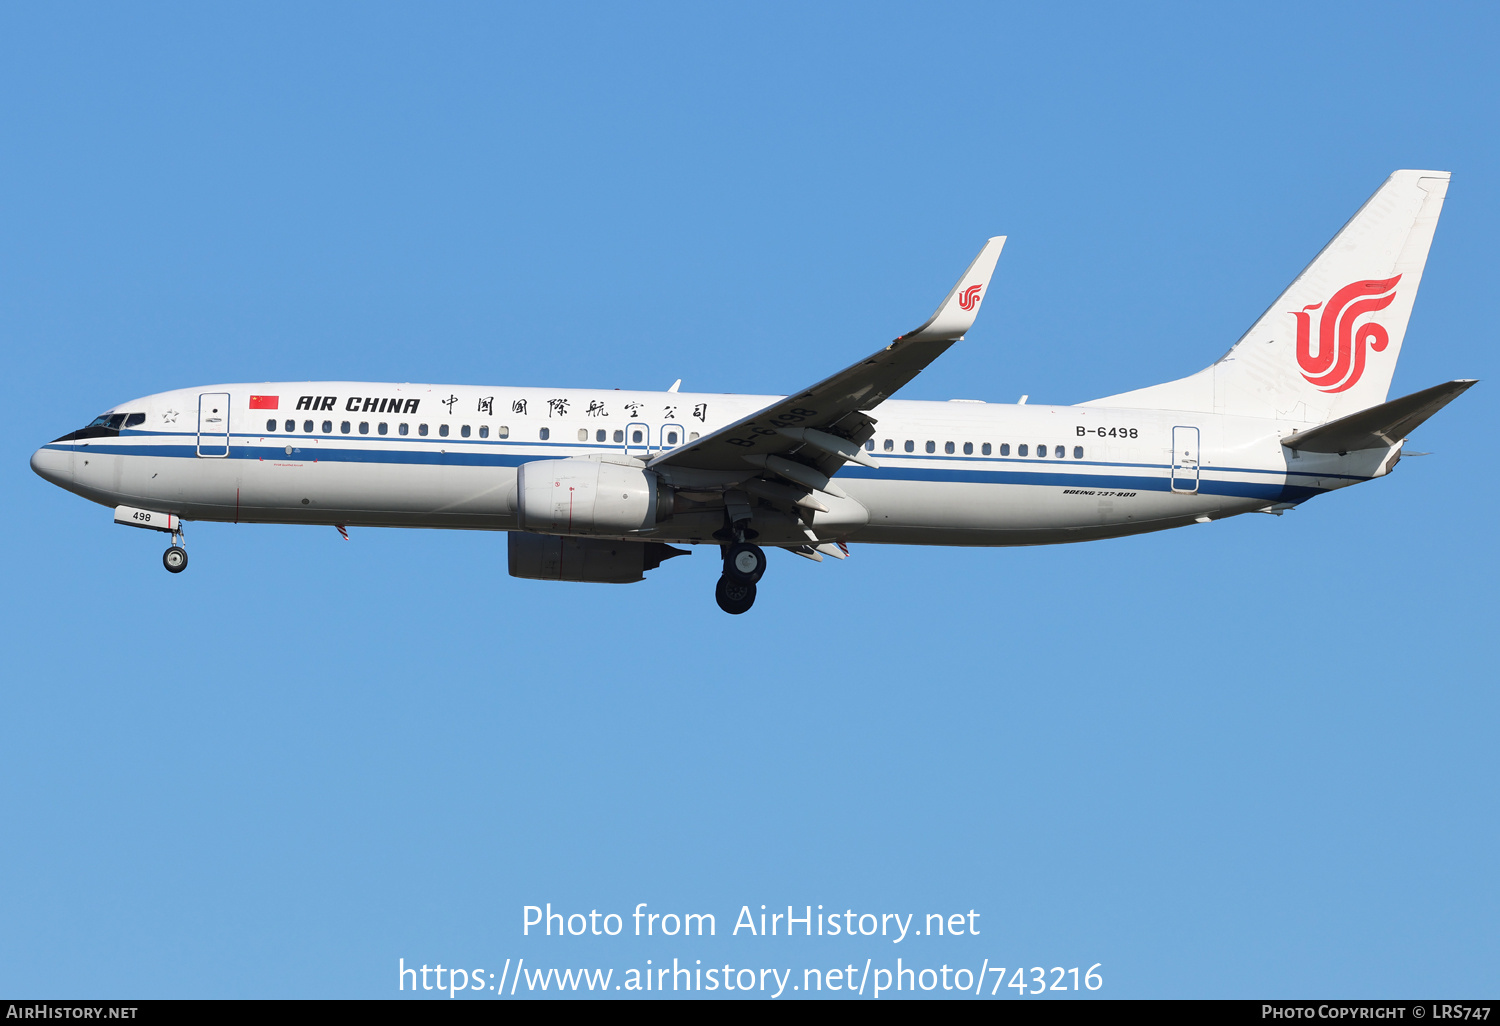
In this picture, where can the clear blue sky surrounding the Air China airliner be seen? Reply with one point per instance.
(1253, 758)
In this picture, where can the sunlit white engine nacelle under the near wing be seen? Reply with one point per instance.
(590, 497)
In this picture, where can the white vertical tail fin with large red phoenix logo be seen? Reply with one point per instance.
(1328, 347)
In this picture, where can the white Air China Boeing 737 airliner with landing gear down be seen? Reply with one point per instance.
(596, 485)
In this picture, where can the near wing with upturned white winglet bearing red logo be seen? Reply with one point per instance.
(808, 437)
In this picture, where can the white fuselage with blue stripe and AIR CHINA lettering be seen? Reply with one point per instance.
(950, 473)
